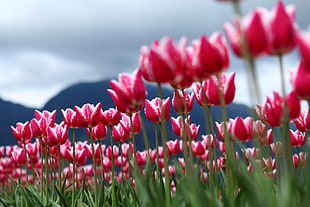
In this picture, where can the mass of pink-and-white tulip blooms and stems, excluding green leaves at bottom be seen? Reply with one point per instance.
(195, 72)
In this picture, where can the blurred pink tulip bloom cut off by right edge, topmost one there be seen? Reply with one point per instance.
(304, 46)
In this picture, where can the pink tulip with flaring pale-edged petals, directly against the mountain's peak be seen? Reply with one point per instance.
(129, 92)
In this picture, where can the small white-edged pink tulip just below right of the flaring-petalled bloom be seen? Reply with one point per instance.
(157, 110)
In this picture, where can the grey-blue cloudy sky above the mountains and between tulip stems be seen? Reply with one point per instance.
(46, 46)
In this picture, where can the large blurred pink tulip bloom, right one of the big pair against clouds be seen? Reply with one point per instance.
(209, 57)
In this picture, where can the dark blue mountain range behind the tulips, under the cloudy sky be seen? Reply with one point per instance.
(82, 93)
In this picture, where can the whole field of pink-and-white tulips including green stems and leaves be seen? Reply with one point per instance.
(259, 160)
